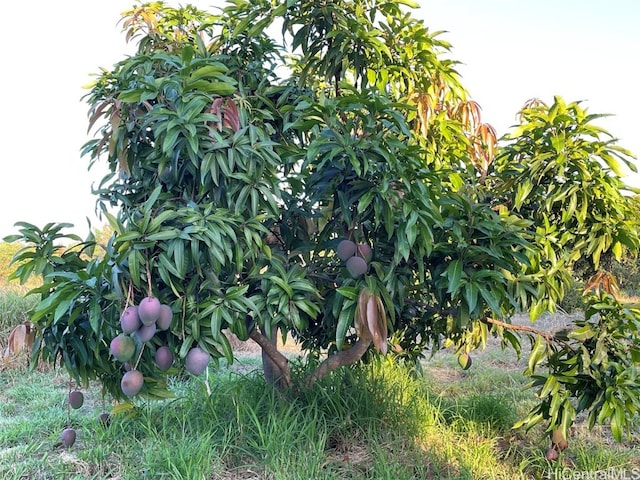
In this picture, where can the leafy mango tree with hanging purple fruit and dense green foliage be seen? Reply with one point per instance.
(316, 169)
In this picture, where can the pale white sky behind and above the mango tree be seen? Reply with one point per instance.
(511, 51)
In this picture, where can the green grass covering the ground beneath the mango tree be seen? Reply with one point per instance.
(379, 421)
